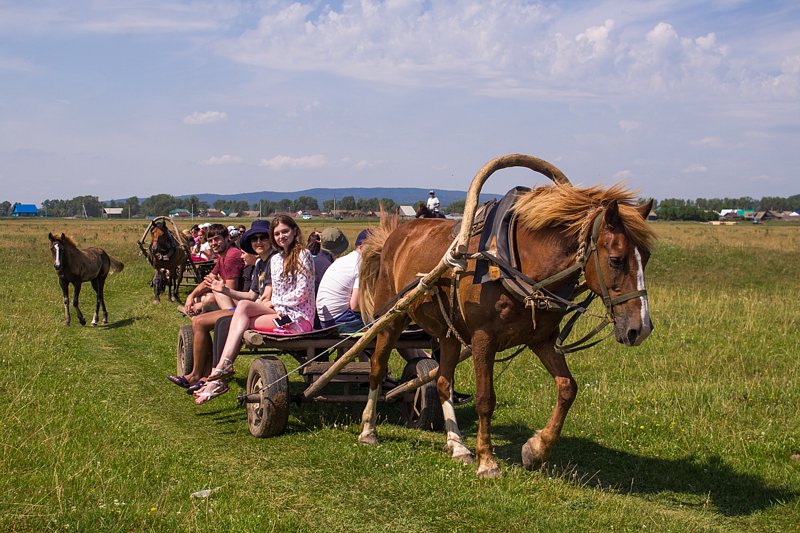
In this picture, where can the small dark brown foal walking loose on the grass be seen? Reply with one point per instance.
(75, 266)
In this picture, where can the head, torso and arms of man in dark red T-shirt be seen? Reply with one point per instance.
(229, 268)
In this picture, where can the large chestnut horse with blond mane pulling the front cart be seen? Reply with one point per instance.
(566, 239)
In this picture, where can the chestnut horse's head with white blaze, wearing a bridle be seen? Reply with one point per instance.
(620, 246)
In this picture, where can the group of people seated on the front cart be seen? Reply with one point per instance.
(273, 283)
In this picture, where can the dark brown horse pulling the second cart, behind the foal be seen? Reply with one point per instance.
(168, 256)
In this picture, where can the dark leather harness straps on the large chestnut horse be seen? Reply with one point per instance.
(496, 222)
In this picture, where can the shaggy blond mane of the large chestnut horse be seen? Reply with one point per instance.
(573, 208)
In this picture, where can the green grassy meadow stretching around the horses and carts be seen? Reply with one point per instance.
(692, 431)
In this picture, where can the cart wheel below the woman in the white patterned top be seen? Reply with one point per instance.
(267, 416)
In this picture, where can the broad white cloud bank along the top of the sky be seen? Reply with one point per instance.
(506, 47)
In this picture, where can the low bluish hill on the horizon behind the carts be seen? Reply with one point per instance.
(400, 195)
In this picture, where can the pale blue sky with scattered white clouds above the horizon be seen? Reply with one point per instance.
(676, 99)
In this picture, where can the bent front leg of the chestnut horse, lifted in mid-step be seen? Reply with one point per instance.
(537, 449)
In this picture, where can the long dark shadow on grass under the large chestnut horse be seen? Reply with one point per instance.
(710, 479)
